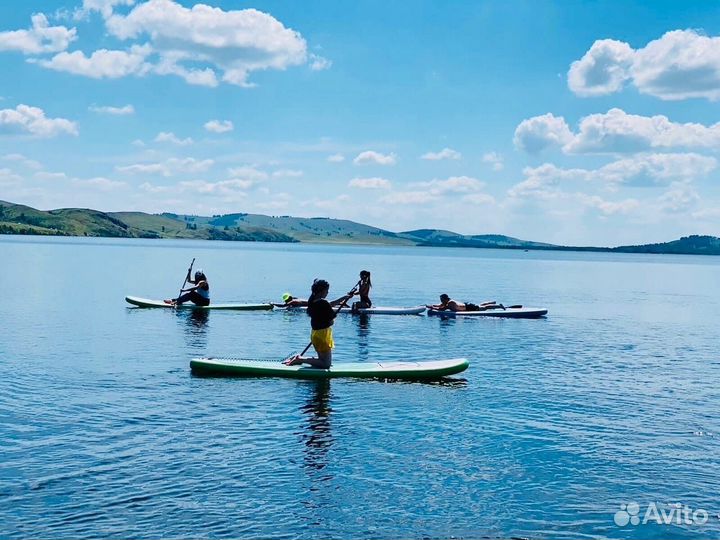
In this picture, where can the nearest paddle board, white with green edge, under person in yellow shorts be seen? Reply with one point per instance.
(239, 367)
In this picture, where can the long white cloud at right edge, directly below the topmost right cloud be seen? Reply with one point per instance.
(617, 132)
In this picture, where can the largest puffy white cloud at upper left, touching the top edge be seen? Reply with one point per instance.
(226, 45)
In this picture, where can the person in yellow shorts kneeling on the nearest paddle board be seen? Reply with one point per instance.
(322, 317)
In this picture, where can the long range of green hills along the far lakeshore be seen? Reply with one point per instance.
(20, 219)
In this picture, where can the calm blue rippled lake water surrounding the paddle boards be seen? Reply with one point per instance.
(613, 398)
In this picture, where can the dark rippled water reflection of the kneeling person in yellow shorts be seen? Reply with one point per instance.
(318, 435)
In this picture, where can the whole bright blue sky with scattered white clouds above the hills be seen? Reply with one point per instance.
(569, 122)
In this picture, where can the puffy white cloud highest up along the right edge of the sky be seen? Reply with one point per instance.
(679, 65)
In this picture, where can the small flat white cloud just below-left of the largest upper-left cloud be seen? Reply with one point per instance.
(102, 63)
